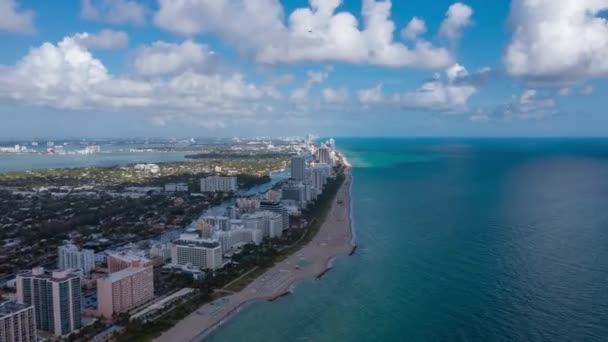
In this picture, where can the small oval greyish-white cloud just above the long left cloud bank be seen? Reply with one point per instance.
(160, 58)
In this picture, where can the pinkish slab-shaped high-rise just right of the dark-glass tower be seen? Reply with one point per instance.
(126, 289)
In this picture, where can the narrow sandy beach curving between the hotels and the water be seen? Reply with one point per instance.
(333, 239)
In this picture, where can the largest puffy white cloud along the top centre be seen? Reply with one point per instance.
(313, 34)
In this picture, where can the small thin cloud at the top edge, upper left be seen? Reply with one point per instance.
(114, 11)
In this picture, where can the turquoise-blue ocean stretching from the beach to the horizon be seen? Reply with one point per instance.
(459, 240)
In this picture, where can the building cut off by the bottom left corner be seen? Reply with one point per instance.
(17, 322)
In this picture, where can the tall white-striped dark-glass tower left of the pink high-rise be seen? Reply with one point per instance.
(55, 297)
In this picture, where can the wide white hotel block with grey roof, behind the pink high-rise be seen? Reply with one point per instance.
(192, 249)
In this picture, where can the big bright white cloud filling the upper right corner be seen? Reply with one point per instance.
(558, 41)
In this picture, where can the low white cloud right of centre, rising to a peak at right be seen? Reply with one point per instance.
(439, 93)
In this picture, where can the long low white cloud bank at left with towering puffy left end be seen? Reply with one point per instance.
(67, 76)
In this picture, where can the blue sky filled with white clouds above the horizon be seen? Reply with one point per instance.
(179, 68)
